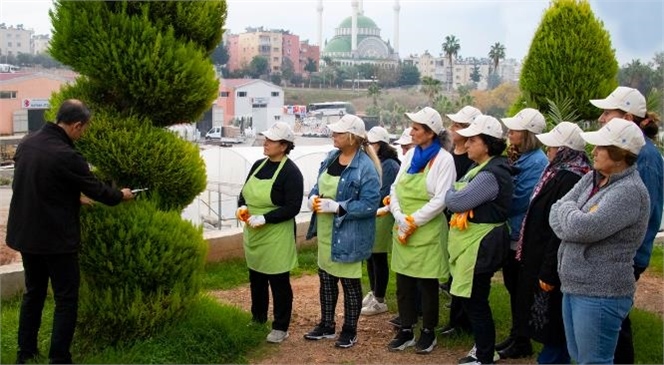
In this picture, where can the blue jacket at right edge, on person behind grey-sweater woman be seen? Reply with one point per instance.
(651, 169)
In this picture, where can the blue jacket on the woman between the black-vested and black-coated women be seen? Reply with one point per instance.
(527, 171)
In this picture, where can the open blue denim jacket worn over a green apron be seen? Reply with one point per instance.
(358, 193)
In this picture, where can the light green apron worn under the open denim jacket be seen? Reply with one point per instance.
(327, 187)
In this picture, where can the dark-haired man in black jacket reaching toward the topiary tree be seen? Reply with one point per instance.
(44, 225)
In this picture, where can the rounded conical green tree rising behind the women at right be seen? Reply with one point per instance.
(570, 56)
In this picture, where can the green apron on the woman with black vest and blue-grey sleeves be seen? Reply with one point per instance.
(464, 245)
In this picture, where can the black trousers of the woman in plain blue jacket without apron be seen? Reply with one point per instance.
(519, 329)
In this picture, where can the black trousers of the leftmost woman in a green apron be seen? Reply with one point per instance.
(282, 296)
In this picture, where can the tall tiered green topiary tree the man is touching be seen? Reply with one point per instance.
(143, 66)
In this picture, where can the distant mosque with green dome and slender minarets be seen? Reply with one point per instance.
(357, 39)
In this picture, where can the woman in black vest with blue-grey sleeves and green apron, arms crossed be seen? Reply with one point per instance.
(479, 235)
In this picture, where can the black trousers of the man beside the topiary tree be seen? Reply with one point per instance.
(63, 271)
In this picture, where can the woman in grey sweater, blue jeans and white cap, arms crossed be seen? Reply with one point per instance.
(601, 222)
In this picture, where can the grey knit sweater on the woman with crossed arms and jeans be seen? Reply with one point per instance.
(600, 234)
